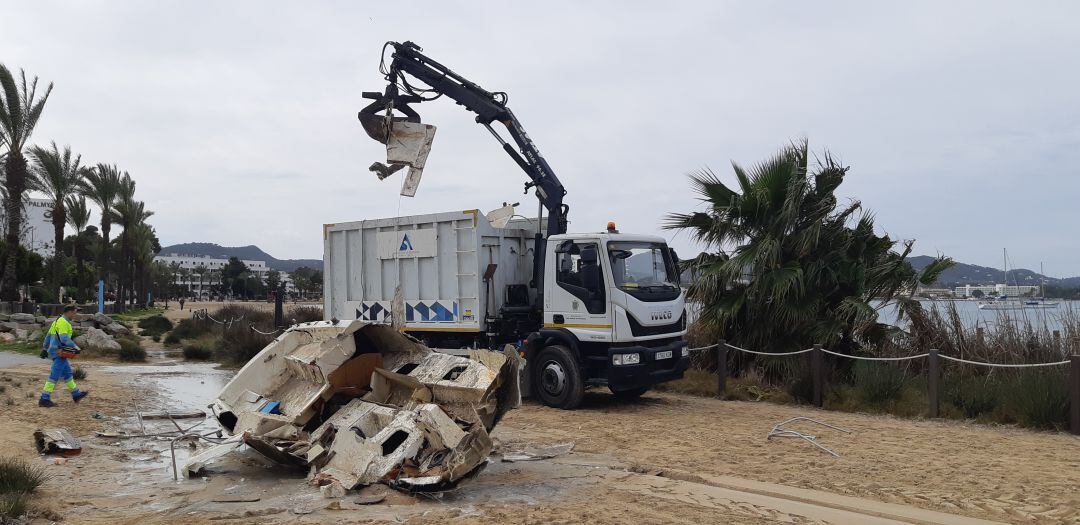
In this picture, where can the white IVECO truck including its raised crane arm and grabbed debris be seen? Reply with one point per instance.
(600, 308)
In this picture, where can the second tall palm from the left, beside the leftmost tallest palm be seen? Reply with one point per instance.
(58, 176)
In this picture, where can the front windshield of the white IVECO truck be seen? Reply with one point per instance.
(642, 266)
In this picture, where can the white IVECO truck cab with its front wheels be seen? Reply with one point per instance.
(614, 317)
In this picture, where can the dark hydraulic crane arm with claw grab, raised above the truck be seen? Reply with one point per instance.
(490, 107)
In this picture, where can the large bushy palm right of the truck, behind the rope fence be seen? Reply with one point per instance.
(788, 268)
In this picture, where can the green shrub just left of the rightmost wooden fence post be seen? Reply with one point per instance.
(1038, 399)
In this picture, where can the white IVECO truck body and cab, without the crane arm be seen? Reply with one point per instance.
(612, 314)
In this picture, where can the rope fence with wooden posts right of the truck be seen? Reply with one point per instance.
(934, 372)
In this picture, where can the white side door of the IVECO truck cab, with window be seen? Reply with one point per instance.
(578, 300)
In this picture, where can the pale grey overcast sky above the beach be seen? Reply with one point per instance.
(961, 120)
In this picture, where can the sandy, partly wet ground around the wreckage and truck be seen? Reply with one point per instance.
(667, 459)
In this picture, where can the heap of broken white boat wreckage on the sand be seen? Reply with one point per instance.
(359, 403)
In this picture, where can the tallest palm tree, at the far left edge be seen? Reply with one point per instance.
(20, 111)
